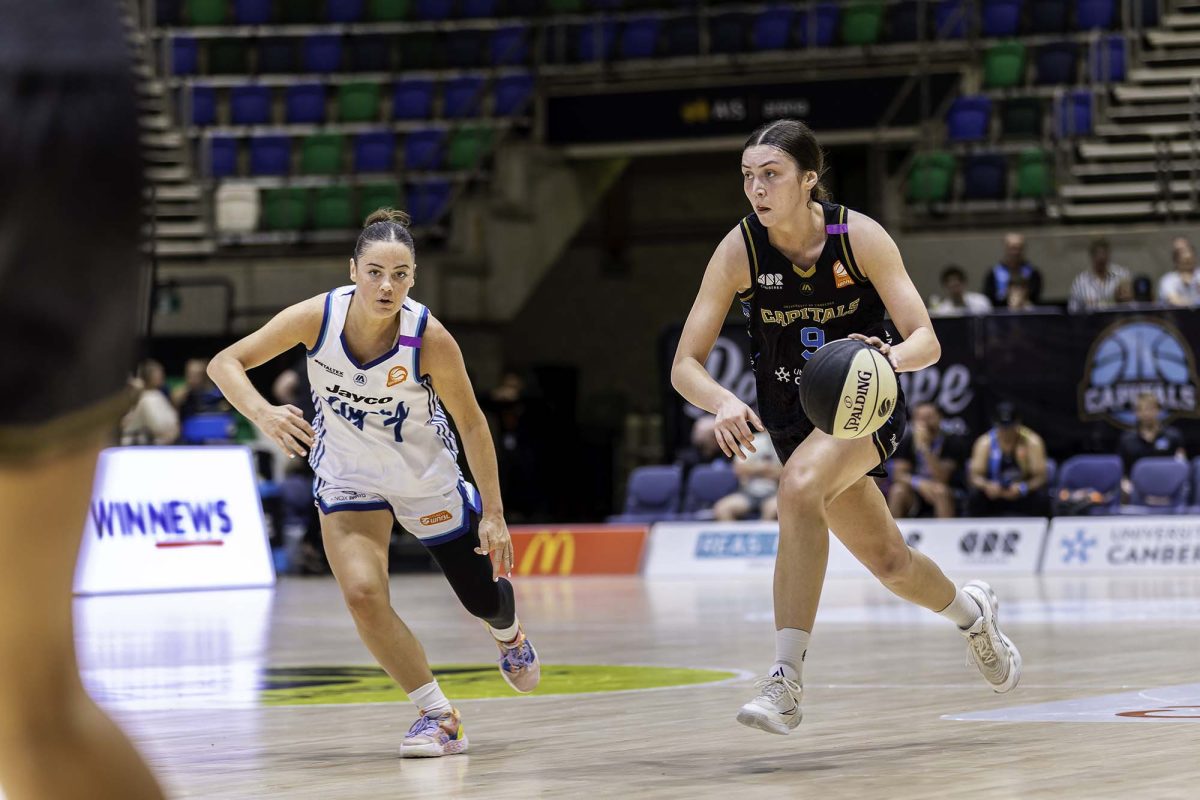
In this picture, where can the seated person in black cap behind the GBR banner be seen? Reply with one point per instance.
(1009, 470)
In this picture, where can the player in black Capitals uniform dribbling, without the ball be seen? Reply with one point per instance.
(807, 273)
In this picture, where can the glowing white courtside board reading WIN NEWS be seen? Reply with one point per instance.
(173, 519)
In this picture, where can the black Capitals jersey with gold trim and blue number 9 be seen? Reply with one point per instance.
(791, 311)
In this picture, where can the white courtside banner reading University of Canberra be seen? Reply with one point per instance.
(1123, 544)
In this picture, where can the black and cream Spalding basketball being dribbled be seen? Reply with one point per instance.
(849, 389)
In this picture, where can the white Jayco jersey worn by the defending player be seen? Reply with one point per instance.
(380, 426)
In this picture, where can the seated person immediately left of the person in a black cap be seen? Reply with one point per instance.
(925, 468)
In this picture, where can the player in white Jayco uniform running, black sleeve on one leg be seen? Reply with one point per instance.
(381, 446)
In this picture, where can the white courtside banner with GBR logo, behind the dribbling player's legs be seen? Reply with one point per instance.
(749, 548)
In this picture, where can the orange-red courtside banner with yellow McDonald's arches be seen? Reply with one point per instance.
(578, 550)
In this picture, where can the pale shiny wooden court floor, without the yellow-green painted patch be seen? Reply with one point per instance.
(1109, 705)
